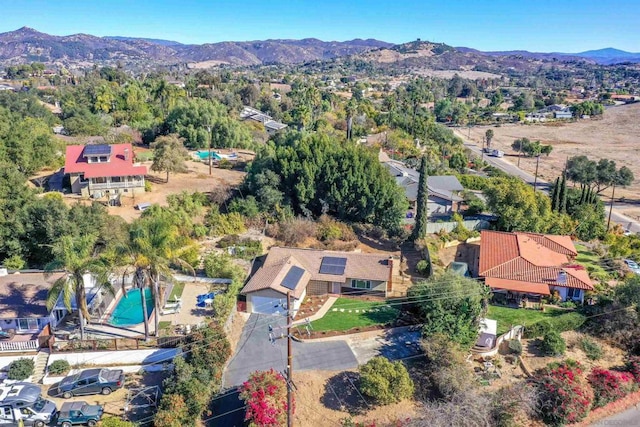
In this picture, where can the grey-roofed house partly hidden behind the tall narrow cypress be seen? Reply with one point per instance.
(443, 199)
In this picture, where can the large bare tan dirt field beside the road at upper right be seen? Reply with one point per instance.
(616, 136)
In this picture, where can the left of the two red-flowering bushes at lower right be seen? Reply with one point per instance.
(563, 396)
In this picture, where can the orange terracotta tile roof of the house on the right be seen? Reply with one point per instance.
(530, 258)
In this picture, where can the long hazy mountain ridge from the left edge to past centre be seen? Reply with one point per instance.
(27, 44)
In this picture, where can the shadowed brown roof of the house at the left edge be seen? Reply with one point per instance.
(24, 295)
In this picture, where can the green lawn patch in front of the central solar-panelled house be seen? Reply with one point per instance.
(345, 316)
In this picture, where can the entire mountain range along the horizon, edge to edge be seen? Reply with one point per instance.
(28, 45)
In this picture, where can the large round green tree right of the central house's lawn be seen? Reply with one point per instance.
(456, 316)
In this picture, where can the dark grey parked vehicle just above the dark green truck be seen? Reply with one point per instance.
(91, 381)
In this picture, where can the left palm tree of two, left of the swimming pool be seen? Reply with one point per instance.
(75, 257)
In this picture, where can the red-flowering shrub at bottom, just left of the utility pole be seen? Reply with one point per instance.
(265, 394)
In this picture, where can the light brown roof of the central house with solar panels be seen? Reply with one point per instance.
(358, 266)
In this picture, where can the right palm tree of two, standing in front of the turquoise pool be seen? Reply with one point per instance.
(153, 248)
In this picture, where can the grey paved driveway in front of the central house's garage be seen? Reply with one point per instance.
(256, 352)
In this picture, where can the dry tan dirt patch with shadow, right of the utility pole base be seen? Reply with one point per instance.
(317, 405)
